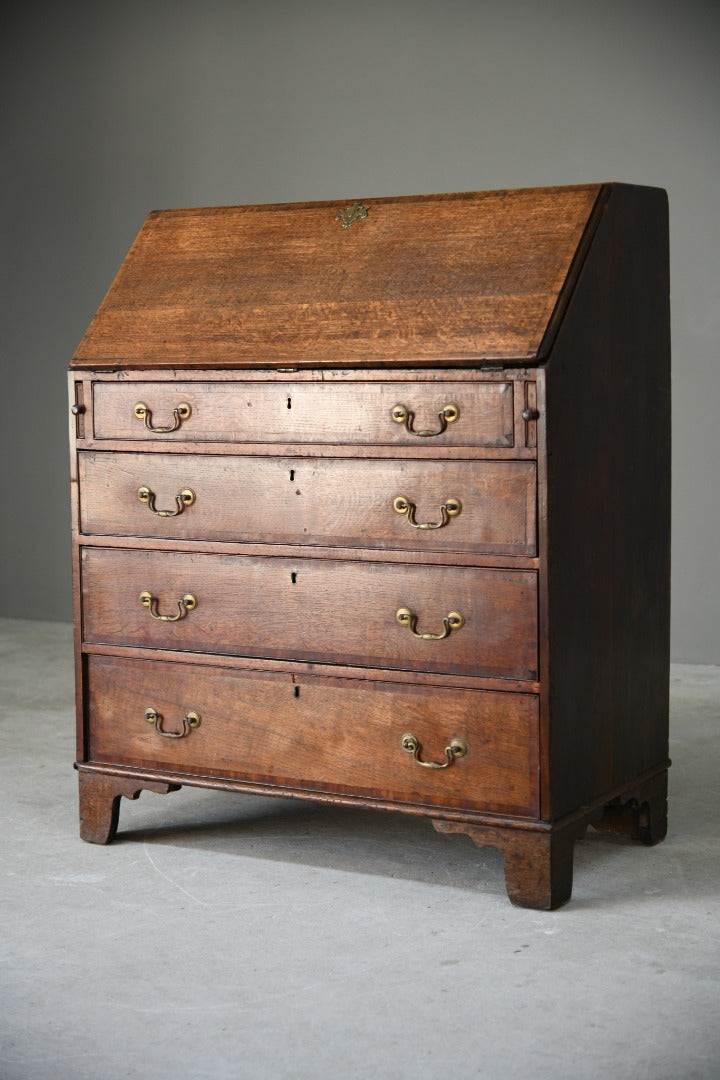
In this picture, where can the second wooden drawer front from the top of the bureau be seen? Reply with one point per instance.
(313, 501)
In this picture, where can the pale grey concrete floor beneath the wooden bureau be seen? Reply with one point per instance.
(236, 937)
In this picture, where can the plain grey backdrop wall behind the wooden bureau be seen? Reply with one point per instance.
(111, 111)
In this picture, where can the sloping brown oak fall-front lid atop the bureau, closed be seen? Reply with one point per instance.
(440, 281)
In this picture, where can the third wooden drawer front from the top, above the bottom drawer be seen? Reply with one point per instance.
(324, 611)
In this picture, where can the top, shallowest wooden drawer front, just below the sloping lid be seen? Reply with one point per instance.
(358, 413)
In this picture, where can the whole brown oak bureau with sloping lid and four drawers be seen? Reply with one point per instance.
(371, 505)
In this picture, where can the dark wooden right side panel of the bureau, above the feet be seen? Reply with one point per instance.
(608, 447)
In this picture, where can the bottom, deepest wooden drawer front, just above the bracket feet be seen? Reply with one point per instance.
(318, 734)
